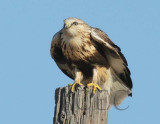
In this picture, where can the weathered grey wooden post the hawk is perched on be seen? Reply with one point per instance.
(80, 107)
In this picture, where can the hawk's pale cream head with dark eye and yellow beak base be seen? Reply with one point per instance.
(74, 26)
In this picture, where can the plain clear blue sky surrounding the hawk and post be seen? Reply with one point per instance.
(29, 77)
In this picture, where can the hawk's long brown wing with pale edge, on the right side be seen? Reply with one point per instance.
(113, 55)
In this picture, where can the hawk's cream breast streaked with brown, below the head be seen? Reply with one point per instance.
(78, 48)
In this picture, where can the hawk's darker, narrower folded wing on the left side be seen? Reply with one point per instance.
(57, 55)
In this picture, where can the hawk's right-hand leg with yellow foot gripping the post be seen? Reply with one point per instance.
(94, 81)
